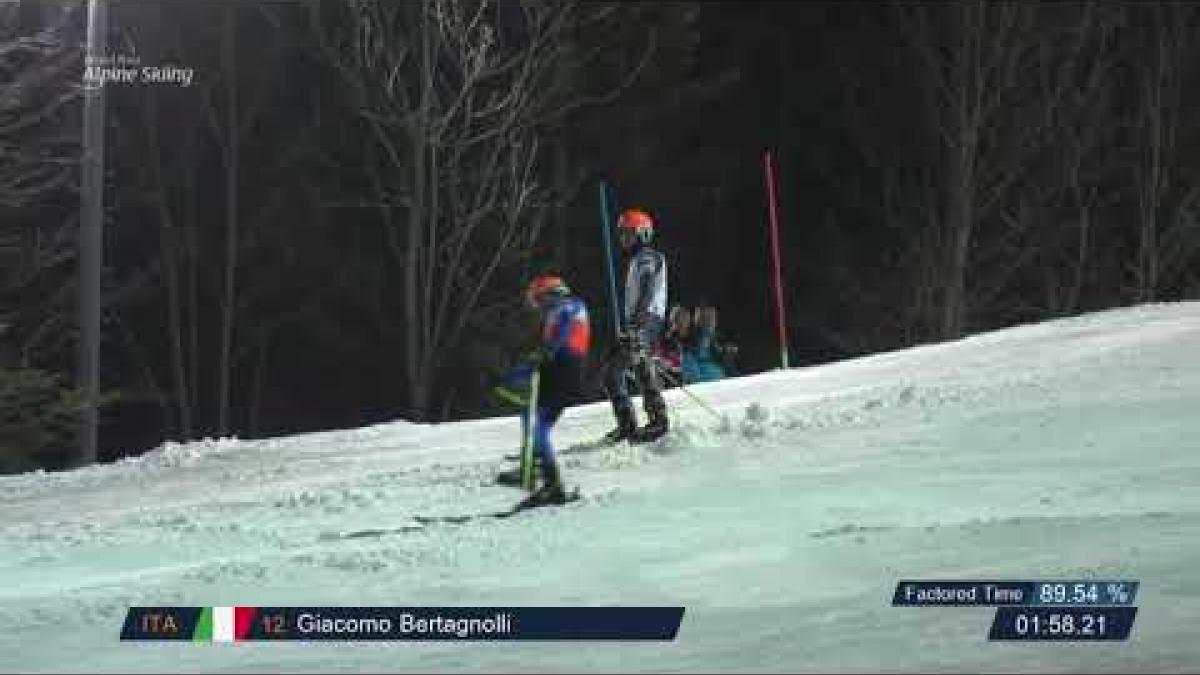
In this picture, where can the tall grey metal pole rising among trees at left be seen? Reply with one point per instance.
(92, 234)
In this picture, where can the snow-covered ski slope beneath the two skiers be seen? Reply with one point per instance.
(1063, 450)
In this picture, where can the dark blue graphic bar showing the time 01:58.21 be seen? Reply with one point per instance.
(1064, 624)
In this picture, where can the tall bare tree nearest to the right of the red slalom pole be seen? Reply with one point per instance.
(944, 168)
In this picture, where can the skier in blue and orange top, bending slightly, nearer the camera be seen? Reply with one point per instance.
(561, 360)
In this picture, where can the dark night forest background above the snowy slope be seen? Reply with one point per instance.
(332, 225)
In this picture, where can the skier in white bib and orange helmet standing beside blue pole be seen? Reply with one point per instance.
(645, 316)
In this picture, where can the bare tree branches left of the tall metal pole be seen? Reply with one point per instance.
(39, 159)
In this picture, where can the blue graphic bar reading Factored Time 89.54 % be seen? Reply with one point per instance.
(1015, 594)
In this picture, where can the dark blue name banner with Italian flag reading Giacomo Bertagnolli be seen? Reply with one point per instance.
(346, 624)
